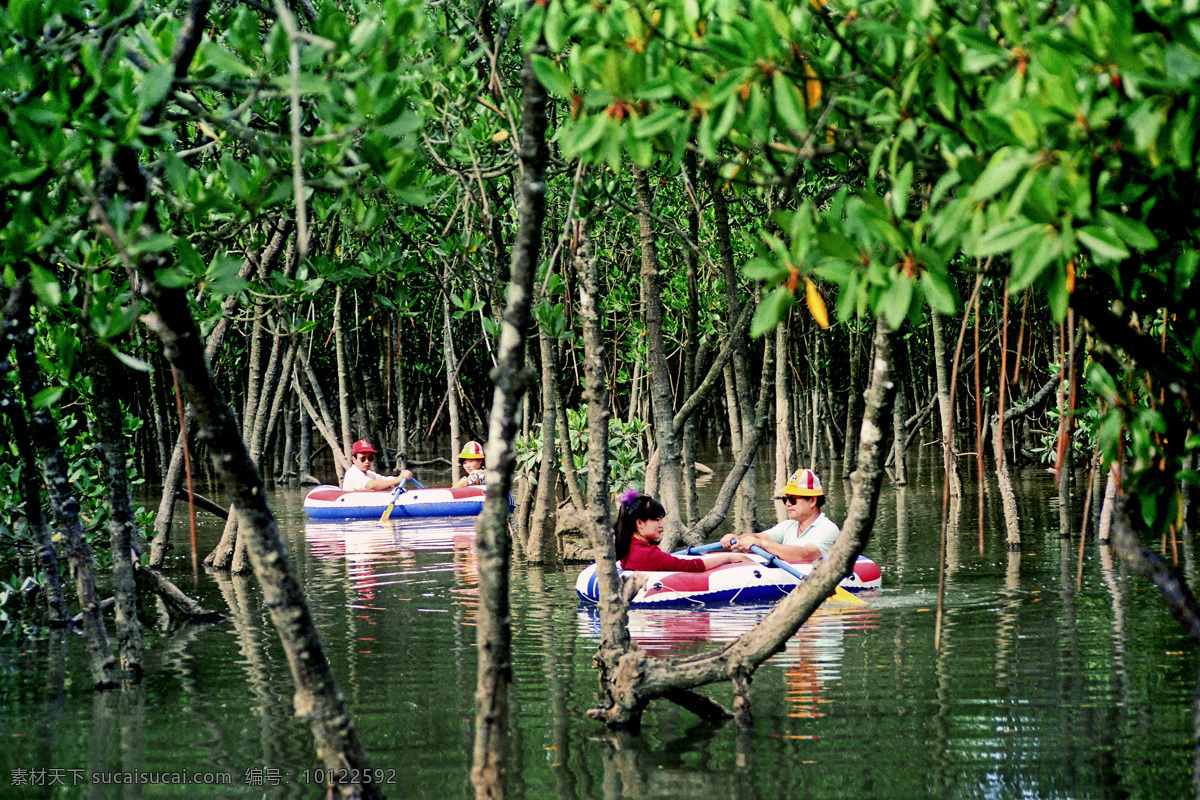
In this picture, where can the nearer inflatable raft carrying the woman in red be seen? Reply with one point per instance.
(729, 584)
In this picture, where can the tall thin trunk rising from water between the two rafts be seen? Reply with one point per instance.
(494, 629)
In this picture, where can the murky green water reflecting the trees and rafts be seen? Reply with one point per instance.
(1039, 690)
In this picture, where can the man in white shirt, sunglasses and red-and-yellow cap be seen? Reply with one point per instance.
(806, 536)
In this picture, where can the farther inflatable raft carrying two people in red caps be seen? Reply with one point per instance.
(334, 503)
